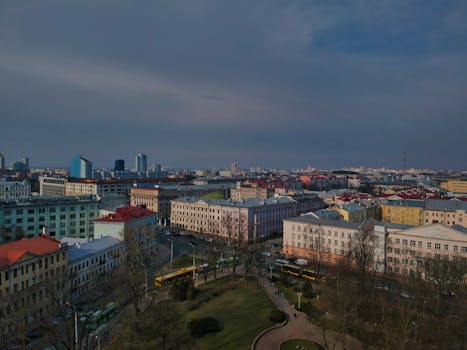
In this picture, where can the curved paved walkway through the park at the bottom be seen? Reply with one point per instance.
(296, 327)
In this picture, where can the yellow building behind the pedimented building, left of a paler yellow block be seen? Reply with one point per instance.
(404, 212)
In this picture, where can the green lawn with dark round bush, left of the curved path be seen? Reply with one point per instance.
(241, 307)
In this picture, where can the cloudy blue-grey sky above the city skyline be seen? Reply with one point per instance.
(200, 84)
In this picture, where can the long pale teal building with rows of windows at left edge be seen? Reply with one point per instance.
(59, 216)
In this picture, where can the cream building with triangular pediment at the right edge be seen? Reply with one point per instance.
(408, 249)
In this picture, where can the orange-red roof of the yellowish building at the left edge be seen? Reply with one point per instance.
(12, 252)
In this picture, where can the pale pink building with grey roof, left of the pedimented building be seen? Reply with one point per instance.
(310, 237)
